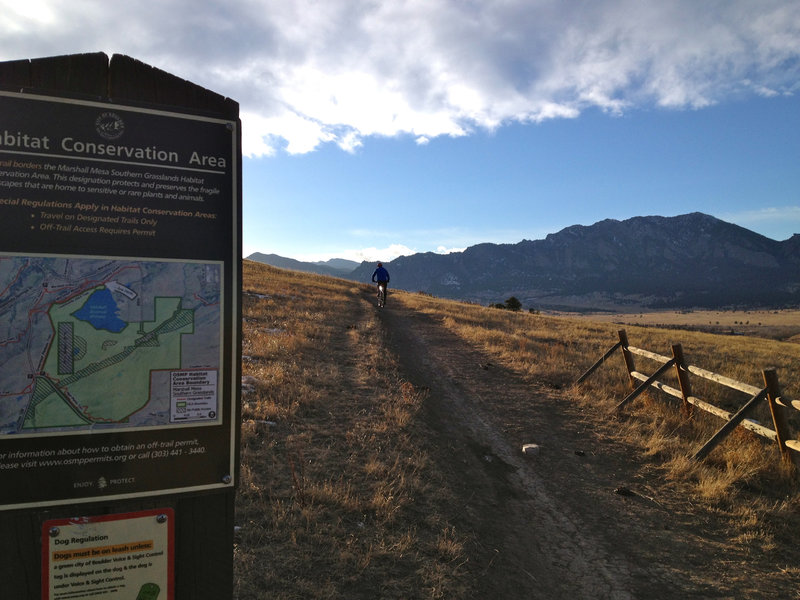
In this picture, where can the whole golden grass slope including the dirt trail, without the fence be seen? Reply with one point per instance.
(380, 456)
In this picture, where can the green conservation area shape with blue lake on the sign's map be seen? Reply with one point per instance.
(98, 367)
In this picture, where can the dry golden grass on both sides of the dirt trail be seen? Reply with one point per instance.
(339, 495)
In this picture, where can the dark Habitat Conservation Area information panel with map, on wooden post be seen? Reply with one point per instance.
(118, 315)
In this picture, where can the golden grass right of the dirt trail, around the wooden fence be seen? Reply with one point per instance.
(554, 351)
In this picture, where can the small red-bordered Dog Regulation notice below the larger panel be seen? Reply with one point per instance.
(122, 556)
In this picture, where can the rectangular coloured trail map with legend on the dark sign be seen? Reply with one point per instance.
(88, 343)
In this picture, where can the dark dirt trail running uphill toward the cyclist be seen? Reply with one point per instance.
(548, 526)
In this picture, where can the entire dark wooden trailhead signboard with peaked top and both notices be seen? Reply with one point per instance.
(120, 265)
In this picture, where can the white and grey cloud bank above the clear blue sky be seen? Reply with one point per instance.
(308, 73)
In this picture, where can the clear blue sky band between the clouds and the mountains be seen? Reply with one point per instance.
(738, 162)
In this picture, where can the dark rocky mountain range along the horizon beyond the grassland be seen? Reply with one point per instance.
(688, 261)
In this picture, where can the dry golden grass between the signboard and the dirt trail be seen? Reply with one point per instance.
(337, 496)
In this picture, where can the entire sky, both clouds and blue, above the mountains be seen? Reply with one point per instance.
(373, 129)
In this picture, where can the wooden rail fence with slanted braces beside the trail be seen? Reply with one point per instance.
(788, 446)
